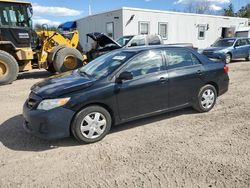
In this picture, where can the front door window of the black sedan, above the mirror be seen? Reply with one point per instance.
(143, 64)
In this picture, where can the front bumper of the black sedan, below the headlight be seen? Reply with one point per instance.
(51, 124)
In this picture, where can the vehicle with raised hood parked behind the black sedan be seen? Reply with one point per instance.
(104, 44)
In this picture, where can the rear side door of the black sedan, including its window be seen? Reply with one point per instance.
(185, 73)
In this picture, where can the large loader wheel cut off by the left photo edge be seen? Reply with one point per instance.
(8, 68)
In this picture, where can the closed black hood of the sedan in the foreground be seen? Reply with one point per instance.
(61, 84)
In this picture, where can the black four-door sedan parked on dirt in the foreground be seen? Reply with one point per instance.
(121, 86)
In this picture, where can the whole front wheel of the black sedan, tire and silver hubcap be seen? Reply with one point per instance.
(91, 124)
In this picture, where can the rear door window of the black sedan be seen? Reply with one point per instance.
(180, 58)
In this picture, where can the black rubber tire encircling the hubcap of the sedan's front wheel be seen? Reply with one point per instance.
(79, 119)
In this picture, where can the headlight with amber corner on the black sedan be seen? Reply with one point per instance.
(49, 104)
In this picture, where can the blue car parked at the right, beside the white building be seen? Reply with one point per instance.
(229, 49)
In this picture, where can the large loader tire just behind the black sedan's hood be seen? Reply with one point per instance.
(60, 63)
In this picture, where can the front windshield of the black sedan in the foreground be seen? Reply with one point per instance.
(105, 64)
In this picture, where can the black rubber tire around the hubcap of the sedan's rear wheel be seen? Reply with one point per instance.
(198, 101)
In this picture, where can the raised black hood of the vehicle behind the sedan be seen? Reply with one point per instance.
(102, 39)
